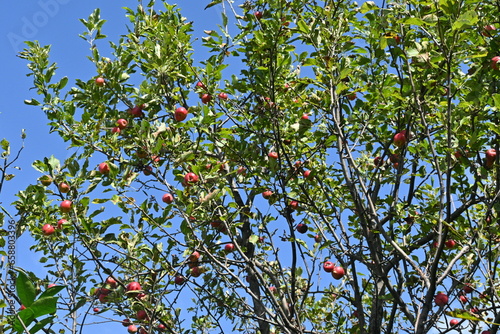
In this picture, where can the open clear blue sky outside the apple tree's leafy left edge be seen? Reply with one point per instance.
(56, 22)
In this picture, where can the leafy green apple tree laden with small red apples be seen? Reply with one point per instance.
(326, 167)
